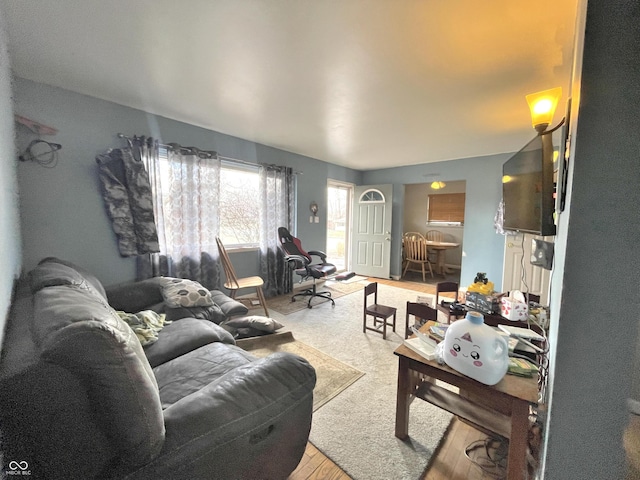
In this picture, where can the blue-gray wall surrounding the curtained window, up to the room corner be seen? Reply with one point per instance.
(62, 210)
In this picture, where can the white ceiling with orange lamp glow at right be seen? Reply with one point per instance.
(360, 83)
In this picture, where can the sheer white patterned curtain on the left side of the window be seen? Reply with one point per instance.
(186, 186)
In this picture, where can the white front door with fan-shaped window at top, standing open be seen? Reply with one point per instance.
(371, 251)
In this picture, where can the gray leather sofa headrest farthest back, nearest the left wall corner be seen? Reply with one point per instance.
(52, 271)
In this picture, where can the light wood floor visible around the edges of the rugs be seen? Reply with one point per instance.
(449, 463)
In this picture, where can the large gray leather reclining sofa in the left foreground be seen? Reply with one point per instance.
(80, 397)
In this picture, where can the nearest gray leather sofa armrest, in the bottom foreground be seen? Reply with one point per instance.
(252, 422)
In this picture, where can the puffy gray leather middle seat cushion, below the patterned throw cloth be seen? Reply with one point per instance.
(182, 336)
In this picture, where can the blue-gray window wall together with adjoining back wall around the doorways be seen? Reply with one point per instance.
(63, 214)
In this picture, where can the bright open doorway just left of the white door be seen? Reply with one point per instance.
(339, 200)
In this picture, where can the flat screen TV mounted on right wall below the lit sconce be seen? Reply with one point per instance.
(528, 189)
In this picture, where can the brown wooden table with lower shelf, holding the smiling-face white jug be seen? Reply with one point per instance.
(502, 408)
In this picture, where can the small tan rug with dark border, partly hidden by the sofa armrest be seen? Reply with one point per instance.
(333, 376)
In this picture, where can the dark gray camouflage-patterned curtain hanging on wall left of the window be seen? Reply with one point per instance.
(128, 200)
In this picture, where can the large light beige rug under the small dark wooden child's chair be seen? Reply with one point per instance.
(356, 428)
